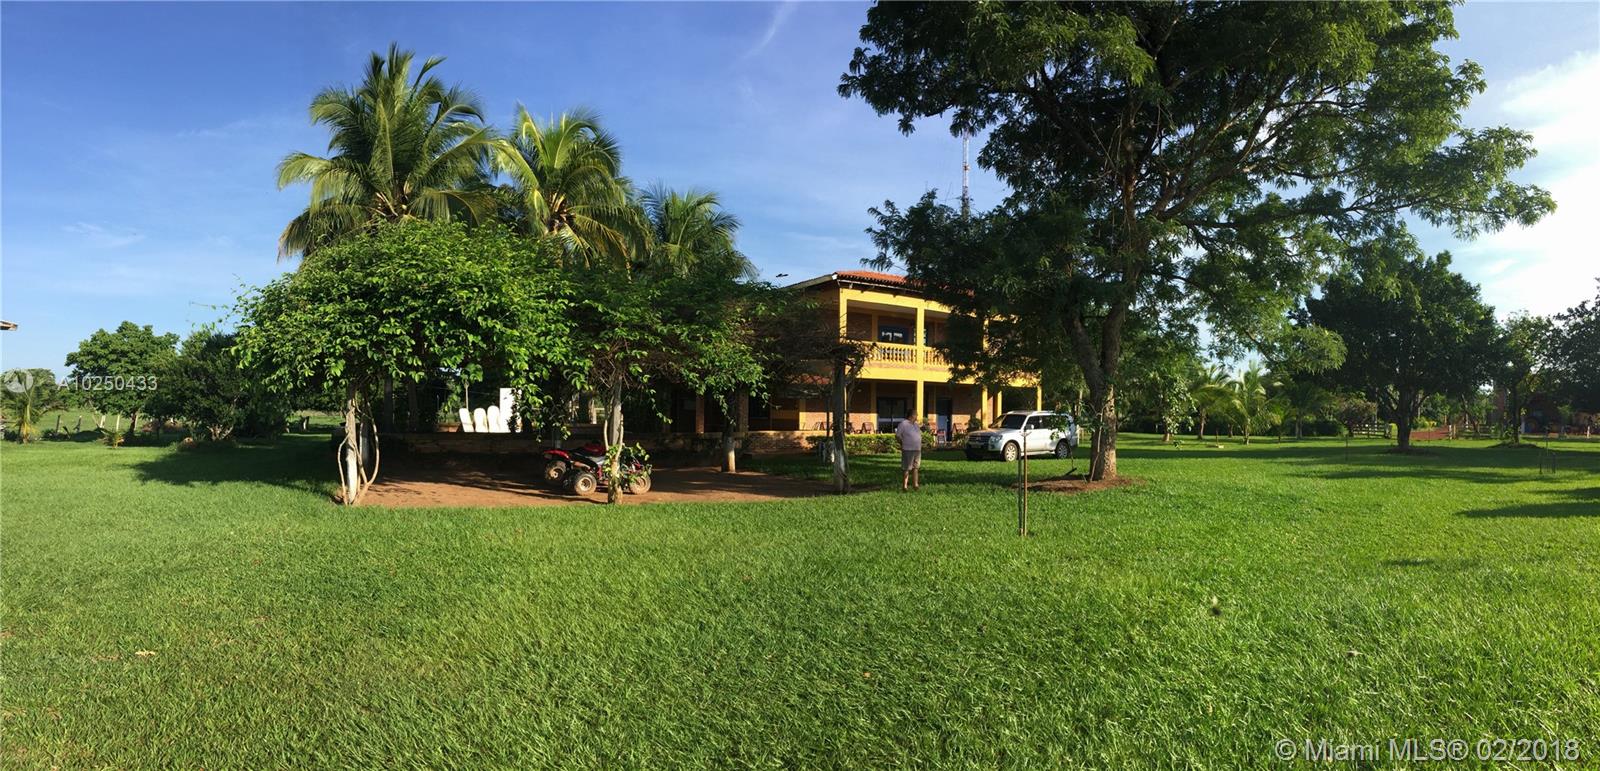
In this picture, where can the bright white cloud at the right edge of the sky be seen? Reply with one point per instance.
(1553, 265)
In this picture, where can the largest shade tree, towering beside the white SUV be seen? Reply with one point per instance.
(1207, 151)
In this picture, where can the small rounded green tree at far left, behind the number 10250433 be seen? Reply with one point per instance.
(119, 372)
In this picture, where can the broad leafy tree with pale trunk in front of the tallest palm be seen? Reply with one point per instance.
(404, 303)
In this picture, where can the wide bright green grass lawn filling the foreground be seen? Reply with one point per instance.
(1361, 597)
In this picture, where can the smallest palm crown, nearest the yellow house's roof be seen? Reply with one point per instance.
(692, 233)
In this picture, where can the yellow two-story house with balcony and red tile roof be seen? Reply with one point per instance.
(903, 375)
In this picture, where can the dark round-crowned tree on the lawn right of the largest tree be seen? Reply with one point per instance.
(1410, 326)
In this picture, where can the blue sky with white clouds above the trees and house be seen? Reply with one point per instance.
(138, 143)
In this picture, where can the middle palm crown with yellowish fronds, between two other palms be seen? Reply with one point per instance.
(567, 183)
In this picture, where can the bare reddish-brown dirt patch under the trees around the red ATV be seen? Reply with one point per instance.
(514, 481)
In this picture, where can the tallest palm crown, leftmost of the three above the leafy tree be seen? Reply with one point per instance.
(404, 146)
